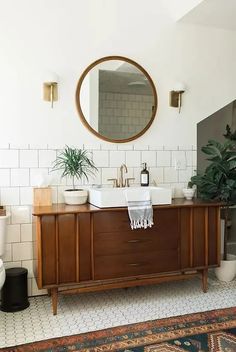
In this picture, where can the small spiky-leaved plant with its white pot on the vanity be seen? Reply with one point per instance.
(76, 164)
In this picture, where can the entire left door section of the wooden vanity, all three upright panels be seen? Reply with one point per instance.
(64, 249)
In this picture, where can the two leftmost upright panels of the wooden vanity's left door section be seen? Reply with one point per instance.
(59, 249)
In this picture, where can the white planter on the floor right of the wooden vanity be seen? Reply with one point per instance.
(227, 270)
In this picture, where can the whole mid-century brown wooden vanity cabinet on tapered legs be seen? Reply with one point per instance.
(84, 248)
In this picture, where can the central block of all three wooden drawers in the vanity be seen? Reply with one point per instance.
(121, 252)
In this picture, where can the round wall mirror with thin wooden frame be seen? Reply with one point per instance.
(116, 99)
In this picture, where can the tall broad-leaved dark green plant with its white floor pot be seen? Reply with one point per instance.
(218, 182)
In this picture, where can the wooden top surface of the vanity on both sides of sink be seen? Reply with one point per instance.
(62, 208)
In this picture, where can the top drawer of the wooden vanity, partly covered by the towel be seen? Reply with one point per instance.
(165, 220)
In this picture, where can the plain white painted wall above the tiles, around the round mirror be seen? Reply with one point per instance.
(67, 36)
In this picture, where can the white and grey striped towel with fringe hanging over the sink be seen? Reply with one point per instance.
(139, 208)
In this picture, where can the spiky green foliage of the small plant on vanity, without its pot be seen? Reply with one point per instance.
(74, 163)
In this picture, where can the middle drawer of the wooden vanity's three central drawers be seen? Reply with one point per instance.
(129, 242)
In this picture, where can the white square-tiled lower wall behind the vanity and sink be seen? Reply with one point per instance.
(22, 167)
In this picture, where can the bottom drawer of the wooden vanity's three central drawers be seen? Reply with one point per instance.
(127, 265)
